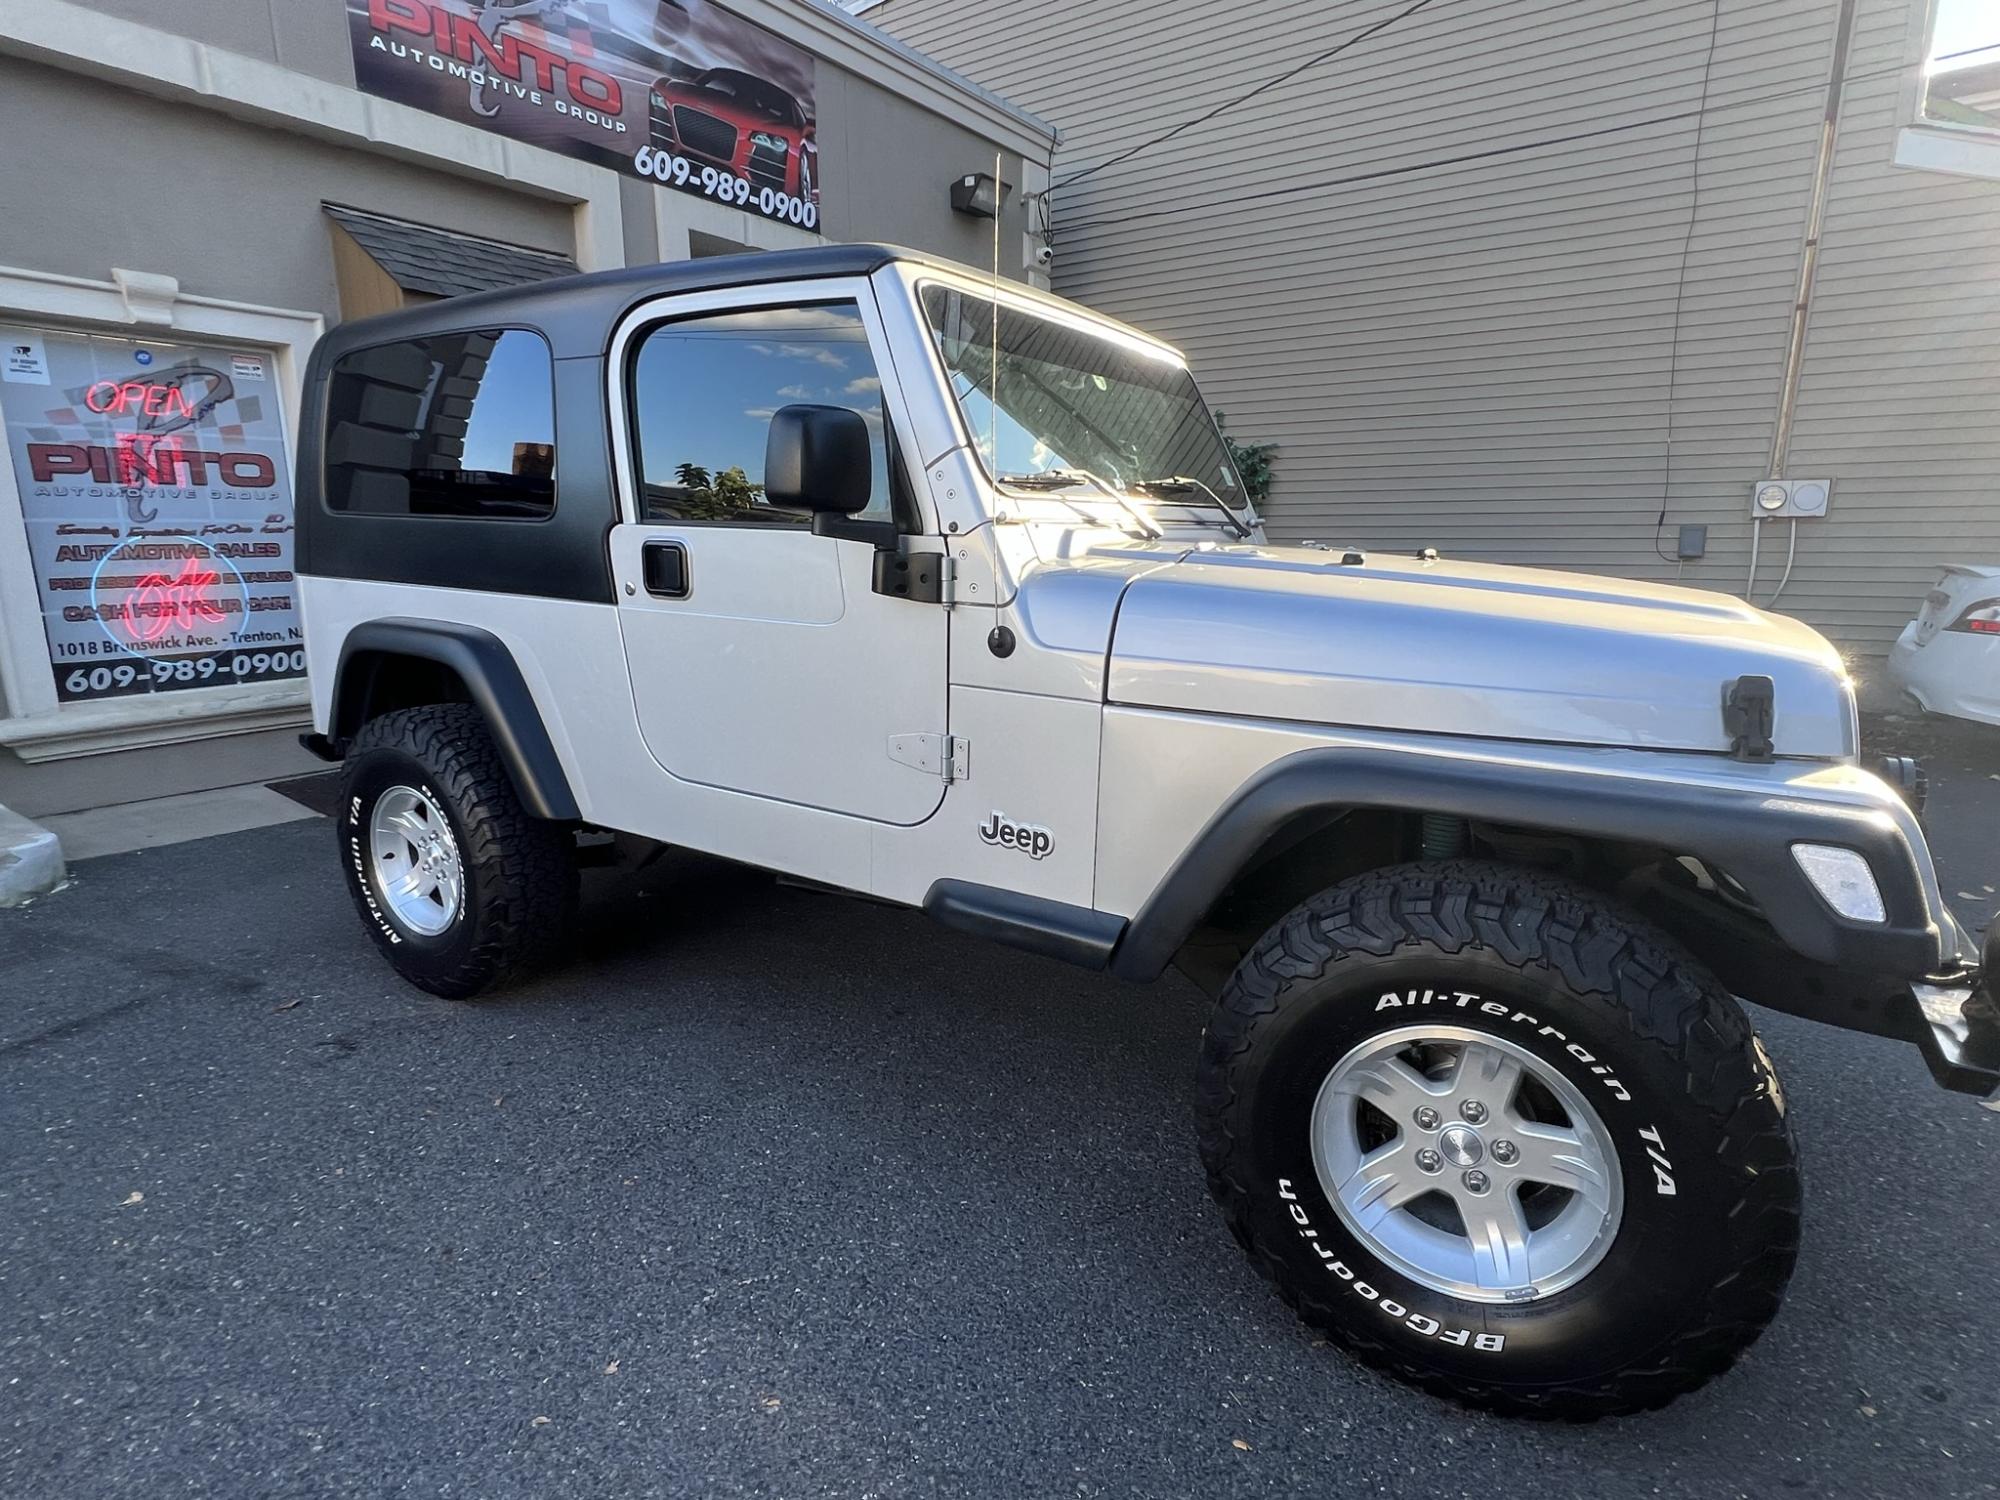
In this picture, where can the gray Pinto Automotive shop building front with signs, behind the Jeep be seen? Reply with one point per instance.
(199, 189)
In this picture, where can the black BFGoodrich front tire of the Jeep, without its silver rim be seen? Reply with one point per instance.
(1707, 1243)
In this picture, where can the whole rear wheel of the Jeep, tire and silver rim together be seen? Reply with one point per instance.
(459, 885)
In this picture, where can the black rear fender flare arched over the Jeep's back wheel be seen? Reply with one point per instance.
(495, 685)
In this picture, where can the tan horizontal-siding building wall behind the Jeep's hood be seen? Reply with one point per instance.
(1551, 281)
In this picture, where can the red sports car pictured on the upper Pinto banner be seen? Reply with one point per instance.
(739, 123)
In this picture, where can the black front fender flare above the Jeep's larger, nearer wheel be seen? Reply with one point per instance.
(1741, 831)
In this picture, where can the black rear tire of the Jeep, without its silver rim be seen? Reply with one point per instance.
(519, 871)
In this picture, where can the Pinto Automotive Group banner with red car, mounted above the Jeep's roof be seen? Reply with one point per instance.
(673, 91)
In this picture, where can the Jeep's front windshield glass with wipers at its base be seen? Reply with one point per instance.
(1077, 405)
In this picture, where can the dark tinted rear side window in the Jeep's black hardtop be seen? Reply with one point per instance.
(455, 425)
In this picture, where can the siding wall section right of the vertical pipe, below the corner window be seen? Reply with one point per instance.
(1901, 393)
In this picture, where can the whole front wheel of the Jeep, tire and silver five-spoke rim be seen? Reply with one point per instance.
(1503, 1141)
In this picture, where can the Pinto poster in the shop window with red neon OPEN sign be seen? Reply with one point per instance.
(153, 483)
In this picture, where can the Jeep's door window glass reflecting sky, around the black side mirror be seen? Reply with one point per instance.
(705, 391)
